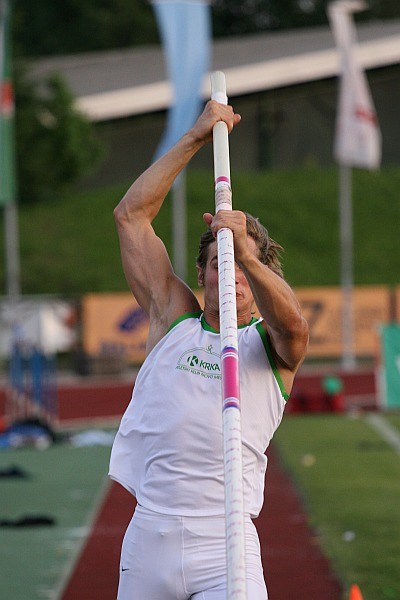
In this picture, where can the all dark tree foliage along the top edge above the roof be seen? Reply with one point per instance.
(45, 27)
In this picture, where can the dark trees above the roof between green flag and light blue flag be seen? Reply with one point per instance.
(45, 27)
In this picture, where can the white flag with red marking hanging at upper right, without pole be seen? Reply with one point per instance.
(358, 138)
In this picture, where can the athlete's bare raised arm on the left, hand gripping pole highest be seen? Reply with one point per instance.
(145, 260)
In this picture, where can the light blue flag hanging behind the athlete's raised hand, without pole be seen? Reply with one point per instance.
(185, 30)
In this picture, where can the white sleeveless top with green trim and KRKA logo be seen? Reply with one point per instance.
(168, 451)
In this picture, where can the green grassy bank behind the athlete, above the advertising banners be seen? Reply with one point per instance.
(70, 246)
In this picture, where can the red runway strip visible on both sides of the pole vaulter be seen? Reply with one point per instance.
(294, 566)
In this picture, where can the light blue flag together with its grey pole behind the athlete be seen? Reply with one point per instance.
(185, 31)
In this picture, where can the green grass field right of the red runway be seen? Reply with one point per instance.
(353, 486)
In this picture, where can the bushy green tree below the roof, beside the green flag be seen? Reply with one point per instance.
(55, 144)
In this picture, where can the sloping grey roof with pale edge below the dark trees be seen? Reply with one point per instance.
(121, 83)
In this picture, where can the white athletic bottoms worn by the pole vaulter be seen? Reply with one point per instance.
(180, 558)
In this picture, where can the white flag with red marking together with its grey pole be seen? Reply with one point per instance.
(357, 144)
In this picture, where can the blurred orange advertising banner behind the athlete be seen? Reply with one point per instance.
(115, 325)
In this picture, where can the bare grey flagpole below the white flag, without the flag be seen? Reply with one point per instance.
(347, 284)
